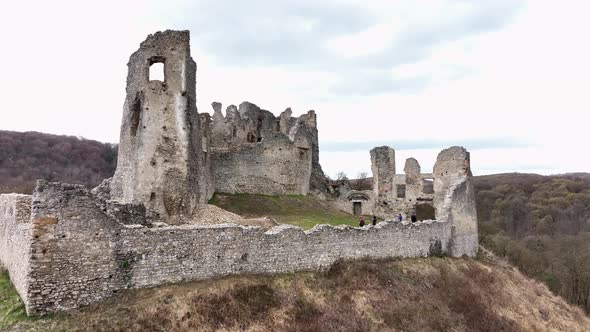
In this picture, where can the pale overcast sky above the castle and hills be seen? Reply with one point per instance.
(509, 80)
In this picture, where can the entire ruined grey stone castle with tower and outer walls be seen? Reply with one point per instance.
(66, 246)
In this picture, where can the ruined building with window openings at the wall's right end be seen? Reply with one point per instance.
(446, 195)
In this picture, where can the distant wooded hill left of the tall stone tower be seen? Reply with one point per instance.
(26, 157)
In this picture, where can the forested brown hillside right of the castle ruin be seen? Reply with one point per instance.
(541, 224)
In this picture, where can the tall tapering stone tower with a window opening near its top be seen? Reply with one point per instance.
(162, 160)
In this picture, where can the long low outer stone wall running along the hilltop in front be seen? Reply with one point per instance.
(81, 255)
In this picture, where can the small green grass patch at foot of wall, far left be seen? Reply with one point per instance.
(12, 309)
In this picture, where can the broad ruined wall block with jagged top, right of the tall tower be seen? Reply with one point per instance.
(253, 151)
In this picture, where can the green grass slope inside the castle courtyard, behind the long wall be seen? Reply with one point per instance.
(298, 210)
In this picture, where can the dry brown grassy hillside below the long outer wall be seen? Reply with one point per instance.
(431, 294)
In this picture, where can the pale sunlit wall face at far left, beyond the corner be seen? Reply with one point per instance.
(15, 238)
